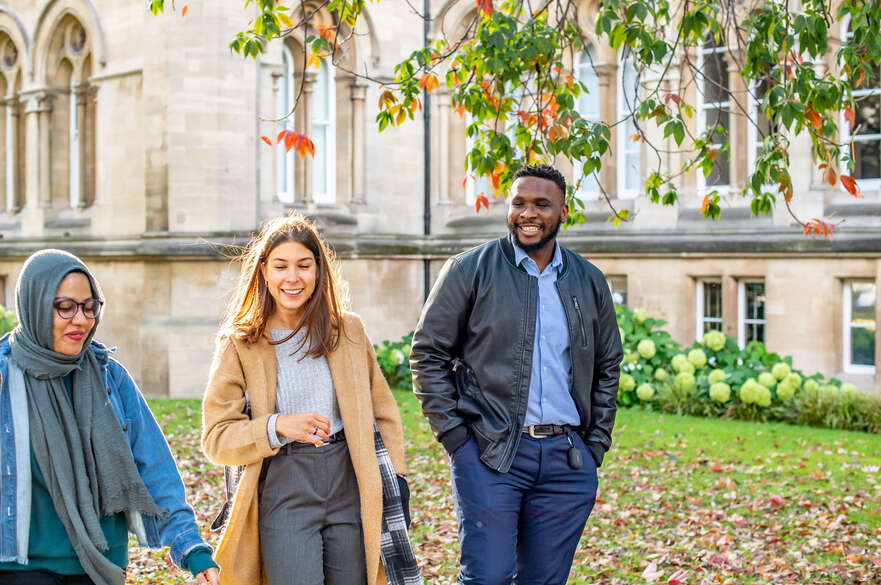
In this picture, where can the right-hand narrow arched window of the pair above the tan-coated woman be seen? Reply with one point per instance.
(324, 135)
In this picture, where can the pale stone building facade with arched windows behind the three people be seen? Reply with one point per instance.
(134, 141)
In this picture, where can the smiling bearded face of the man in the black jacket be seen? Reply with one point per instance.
(536, 210)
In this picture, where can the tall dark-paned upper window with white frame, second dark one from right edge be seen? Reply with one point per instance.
(714, 112)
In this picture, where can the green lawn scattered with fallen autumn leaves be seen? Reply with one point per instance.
(722, 501)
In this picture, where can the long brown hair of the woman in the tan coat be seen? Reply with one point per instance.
(252, 305)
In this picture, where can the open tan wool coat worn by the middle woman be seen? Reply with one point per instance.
(229, 437)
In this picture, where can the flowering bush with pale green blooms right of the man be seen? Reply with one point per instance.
(716, 378)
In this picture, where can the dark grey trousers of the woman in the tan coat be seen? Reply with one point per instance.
(310, 517)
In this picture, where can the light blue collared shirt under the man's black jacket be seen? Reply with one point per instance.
(550, 401)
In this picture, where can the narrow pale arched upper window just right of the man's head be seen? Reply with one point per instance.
(629, 151)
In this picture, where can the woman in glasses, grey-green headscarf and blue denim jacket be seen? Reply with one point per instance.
(83, 460)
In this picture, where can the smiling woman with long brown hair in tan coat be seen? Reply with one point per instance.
(309, 507)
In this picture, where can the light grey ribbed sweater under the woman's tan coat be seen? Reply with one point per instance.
(303, 384)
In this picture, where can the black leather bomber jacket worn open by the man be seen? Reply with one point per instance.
(482, 312)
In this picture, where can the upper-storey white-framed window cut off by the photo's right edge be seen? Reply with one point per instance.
(866, 138)
